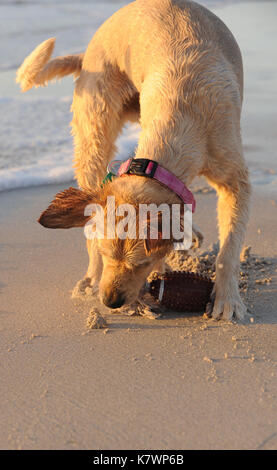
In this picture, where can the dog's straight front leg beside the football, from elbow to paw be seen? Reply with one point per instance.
(233, 208)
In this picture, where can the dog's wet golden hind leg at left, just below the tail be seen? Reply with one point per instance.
(98, 108)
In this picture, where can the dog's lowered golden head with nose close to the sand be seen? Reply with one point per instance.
(127, 261)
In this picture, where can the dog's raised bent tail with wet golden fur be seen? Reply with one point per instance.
(37, 69)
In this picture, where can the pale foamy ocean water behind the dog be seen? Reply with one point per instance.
(35, 142)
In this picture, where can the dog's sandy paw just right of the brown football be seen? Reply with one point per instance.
(231, 308)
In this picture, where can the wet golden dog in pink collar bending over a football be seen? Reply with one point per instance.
(177, 69)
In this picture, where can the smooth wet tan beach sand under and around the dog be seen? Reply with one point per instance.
(177, 382)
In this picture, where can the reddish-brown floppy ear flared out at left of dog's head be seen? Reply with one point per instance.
(67, 210)
